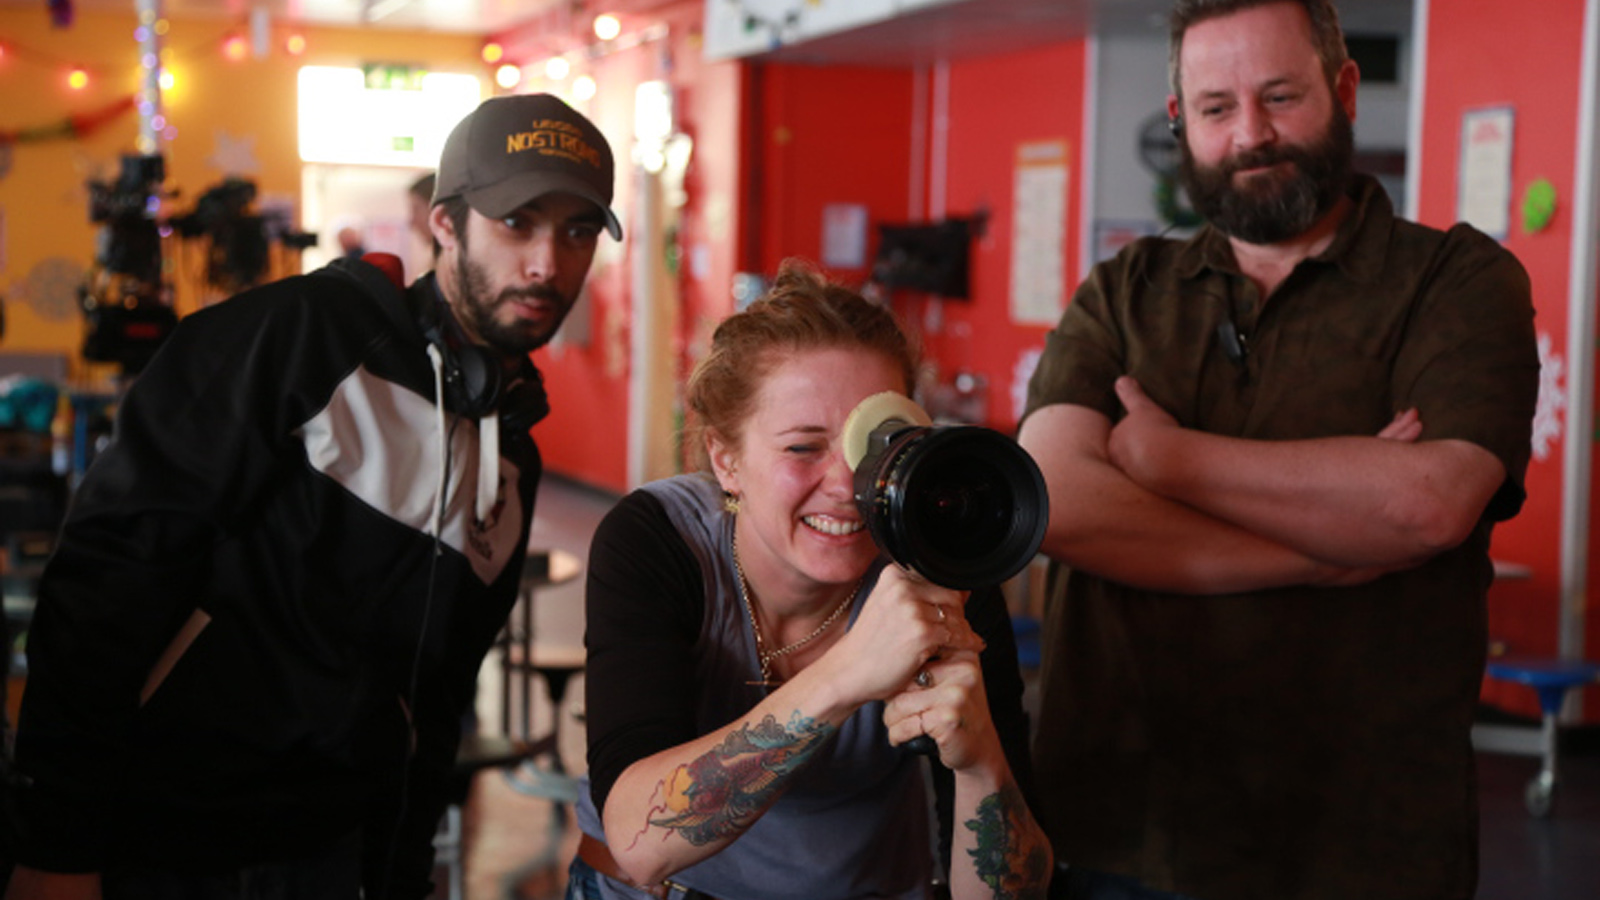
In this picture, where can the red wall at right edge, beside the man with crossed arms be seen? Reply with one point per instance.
(1484, 55)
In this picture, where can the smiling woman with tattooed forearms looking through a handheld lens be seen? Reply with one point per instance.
(756, 669)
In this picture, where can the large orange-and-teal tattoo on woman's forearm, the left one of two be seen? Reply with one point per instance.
(721, 794)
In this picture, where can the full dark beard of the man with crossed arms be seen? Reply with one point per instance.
(1273, 207)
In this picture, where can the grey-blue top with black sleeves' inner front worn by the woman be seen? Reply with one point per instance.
(855, 824)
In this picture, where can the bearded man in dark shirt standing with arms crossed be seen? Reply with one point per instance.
(1276, 452)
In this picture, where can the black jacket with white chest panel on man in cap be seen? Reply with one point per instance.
(249, 643)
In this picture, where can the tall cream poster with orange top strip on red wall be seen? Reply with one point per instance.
(1039, 233)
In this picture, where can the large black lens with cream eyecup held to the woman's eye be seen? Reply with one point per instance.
(964, 507)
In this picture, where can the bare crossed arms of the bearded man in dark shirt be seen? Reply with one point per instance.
(1159, 507)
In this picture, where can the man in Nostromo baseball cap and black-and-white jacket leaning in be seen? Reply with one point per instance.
(268, 608)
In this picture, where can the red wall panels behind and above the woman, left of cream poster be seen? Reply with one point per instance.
(846, 137)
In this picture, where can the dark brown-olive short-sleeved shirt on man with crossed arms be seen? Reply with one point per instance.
(1302, 742)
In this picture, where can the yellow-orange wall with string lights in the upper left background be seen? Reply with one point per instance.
(222, 110)
